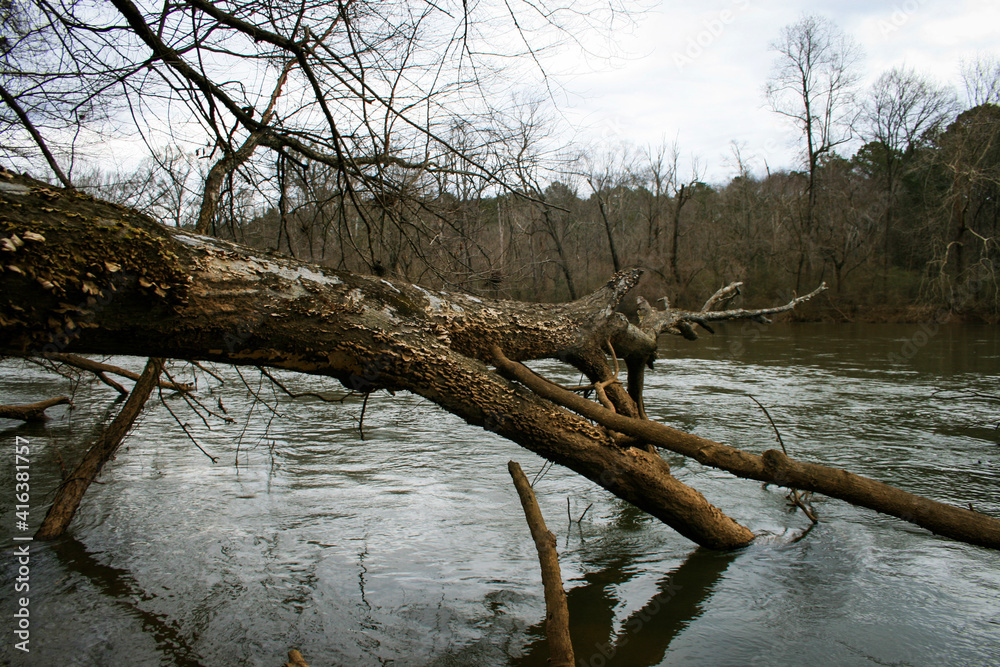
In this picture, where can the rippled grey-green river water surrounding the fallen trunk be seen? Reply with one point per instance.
(408, 547)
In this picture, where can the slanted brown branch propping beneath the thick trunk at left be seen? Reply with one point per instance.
(71, 491)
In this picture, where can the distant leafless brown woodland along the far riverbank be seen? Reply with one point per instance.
(888, 229)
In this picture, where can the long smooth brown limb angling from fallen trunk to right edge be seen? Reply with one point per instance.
(775, 467)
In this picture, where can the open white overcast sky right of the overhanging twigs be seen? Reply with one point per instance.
(695, 72)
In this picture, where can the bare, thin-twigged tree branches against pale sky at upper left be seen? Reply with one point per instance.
(268, 93)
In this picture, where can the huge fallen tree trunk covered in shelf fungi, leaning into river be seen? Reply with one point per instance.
(85, 276)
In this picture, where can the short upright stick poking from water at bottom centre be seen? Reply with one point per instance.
(556, 611)
